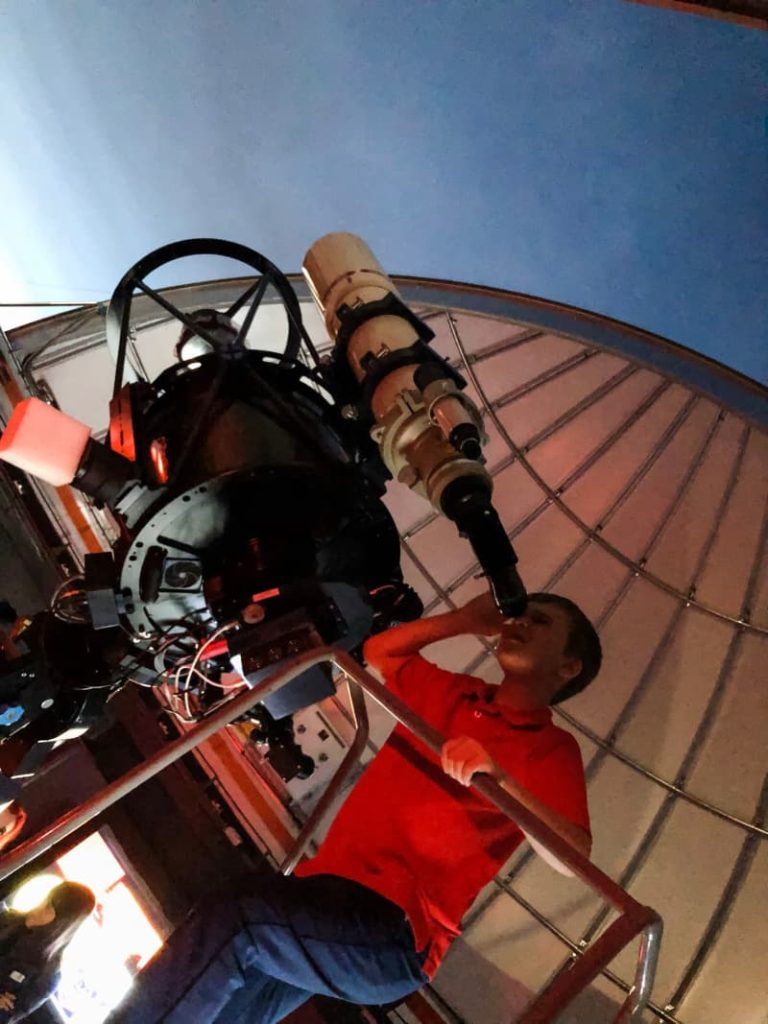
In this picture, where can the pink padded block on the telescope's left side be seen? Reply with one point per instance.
(45, 442)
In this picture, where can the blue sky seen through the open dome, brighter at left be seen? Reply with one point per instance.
(604, 154)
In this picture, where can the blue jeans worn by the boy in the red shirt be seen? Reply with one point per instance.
(258, 955)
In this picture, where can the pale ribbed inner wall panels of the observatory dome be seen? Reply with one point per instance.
(632, 476)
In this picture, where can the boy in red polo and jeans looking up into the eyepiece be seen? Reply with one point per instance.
(369, 919)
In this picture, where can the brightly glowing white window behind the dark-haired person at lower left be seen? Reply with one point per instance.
(99, 967)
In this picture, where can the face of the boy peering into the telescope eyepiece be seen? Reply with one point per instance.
(534, 646)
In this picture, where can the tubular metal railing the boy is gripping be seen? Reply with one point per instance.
(634, 920)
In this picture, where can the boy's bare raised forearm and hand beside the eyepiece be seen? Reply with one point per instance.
(387, 652)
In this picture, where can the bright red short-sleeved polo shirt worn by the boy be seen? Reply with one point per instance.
(422, 840)
